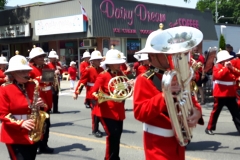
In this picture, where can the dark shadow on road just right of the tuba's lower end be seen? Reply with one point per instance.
(205, 145)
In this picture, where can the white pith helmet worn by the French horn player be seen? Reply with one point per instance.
(113, 56)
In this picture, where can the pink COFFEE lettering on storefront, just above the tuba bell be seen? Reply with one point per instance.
(185, 22)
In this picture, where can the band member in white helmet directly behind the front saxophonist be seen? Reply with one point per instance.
(37, 63)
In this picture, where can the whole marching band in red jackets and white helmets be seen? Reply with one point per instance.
(36, 84)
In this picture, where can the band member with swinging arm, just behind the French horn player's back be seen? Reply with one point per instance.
(88, 79)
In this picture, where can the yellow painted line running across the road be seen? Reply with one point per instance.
(104, 142)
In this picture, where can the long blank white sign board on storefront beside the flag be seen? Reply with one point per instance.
(69, 24)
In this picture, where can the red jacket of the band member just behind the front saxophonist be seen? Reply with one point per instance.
(45, 87)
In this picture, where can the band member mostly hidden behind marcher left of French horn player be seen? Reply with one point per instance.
(82, 66)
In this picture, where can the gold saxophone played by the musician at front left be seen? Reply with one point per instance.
(37, 115)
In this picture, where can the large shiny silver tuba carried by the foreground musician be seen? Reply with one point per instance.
(176, 43)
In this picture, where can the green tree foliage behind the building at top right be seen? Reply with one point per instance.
(230, 9)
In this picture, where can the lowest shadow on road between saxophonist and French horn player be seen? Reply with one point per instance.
(71, 147)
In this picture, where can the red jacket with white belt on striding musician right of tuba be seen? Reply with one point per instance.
(223, 75)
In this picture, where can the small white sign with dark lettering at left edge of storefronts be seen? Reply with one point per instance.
(15, 31)
